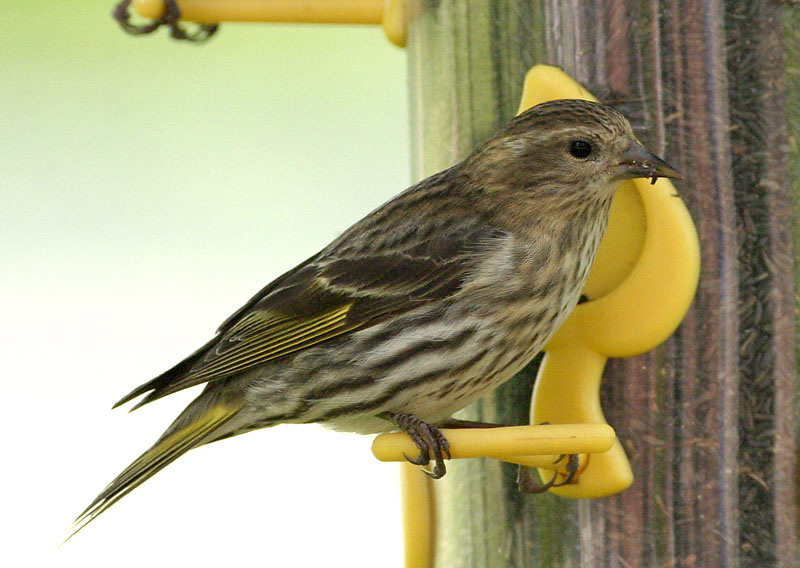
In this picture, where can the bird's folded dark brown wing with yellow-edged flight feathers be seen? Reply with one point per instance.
(323, 298)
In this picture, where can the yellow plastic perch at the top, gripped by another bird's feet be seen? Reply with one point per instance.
(388, 13)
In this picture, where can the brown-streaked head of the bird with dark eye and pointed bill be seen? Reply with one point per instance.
(566, 151)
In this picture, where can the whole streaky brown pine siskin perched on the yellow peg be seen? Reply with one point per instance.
(427, 303)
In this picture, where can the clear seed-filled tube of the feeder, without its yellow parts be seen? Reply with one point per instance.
(709, 419)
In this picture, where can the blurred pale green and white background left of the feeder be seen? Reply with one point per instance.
(147, 189)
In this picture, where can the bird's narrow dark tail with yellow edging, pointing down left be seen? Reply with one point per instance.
(200, 423)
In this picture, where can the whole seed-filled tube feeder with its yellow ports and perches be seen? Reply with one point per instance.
(705, 425)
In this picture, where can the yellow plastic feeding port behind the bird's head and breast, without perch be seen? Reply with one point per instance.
(639, 288)
